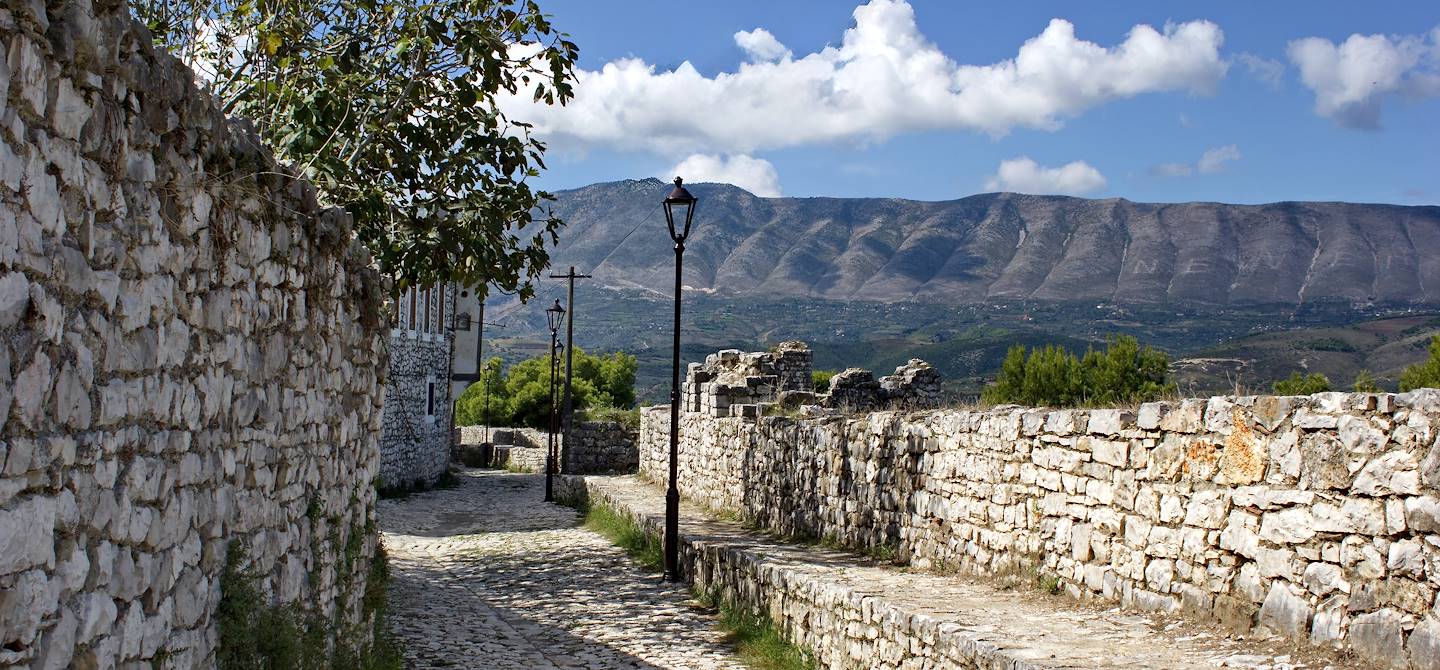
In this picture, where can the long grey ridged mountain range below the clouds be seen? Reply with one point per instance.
(1009, 247)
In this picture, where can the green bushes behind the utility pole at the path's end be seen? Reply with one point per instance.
(522, 397)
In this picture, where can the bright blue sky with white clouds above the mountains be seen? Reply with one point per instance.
(1238, 103)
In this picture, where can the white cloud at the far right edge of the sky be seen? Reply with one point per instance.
(1353, 79)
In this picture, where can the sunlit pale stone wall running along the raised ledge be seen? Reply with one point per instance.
(1315, 518)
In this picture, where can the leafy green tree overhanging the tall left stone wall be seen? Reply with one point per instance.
(392, 110)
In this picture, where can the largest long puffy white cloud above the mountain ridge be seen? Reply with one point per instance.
(883, 79)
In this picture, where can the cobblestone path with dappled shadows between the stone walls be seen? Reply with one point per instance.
(487, 576)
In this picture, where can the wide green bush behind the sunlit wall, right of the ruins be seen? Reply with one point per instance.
(1052, 377)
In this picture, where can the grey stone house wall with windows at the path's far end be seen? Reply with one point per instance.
(415, 445)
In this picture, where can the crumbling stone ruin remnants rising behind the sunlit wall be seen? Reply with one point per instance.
(738, 384)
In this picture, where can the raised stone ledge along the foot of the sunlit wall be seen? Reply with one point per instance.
(856, 613)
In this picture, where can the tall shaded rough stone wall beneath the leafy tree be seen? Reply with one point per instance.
(191, 355)
